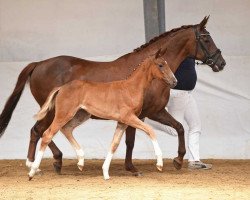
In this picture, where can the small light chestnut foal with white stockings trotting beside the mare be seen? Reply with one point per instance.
(121, 101)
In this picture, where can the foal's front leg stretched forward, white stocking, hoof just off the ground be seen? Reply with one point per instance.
(135, 122)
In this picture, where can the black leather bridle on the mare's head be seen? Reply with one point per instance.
(209, 59)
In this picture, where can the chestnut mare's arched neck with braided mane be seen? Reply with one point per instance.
(179, 44)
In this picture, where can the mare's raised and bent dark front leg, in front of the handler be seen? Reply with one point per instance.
(165, 118)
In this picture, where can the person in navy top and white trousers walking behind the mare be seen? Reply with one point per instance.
(182, 106)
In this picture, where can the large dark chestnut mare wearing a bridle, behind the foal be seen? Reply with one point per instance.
(186, 41)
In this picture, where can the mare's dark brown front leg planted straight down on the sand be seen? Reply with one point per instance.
(130, 141)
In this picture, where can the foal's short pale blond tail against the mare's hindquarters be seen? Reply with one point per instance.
(48, 105)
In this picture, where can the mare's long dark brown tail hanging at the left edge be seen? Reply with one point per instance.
(12, 101)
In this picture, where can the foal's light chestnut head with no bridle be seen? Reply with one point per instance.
(161, 69)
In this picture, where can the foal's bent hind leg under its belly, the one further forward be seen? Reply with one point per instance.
(80, 117)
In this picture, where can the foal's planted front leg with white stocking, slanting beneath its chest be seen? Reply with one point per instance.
(120, 128)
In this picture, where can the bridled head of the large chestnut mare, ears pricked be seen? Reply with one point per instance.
(205, 49)
